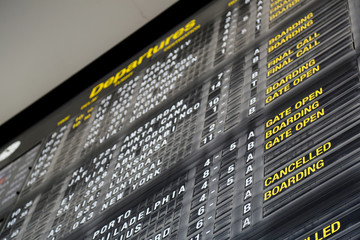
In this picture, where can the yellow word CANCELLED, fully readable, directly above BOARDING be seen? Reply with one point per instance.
(297, 164)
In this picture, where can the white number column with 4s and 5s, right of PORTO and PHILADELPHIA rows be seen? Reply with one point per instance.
(210, 211)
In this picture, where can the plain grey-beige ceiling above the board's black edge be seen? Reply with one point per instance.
(44, 43)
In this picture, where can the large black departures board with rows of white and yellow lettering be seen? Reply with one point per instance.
(240, 121)
